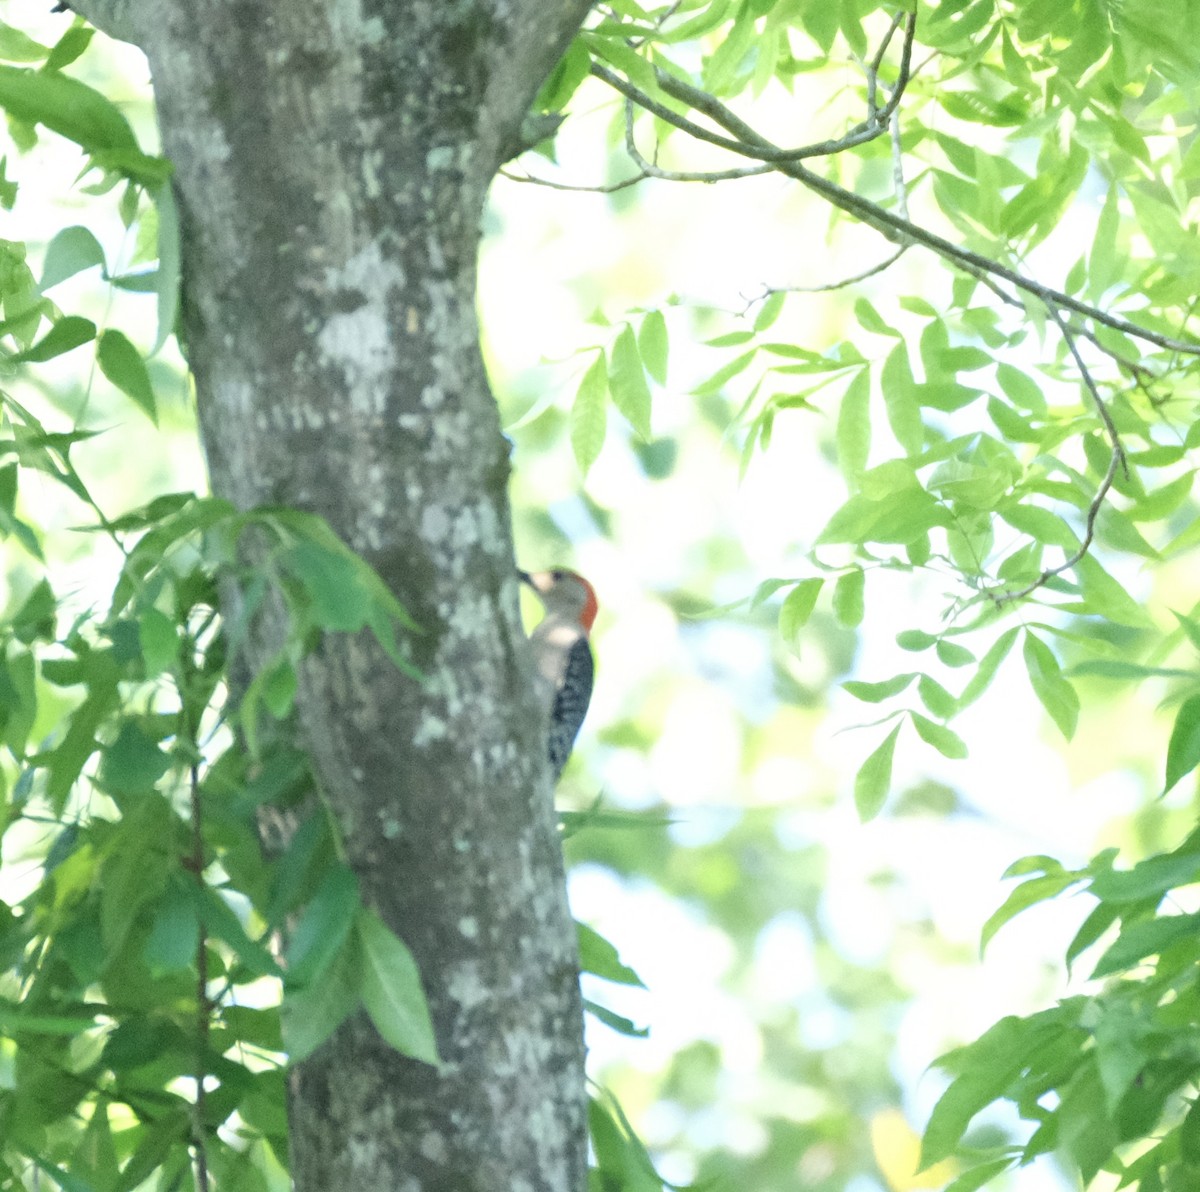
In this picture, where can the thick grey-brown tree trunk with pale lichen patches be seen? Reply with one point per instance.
(332, 163)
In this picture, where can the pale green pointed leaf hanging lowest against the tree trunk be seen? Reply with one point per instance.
(392, 991)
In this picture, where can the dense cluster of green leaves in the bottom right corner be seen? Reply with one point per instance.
(1101, 1074)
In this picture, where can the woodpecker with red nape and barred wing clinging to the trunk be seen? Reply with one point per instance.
(563, 656)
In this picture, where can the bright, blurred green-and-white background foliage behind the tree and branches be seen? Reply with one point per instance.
(802, 968)
